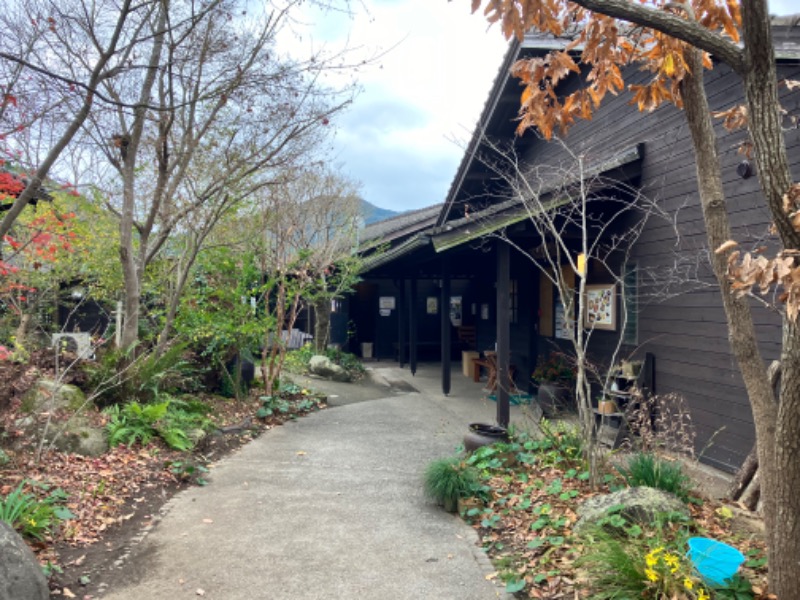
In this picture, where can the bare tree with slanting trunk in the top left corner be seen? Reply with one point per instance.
(54, 58)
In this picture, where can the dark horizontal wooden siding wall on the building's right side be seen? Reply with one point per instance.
(687, 331)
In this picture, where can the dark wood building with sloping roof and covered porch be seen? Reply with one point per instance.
(679, 319)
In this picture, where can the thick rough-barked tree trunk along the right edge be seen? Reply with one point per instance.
(777, 428)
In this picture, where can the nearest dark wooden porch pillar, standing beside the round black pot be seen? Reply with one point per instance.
(503, 332)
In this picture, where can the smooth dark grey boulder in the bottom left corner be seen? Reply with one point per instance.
(21, 577)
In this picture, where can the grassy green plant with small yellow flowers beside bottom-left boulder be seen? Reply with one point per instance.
(31, 516)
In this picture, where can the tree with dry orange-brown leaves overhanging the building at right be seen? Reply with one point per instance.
(676, 41)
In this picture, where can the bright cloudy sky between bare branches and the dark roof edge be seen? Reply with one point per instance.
(426, 91)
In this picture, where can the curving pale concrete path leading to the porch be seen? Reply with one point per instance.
(327, 507)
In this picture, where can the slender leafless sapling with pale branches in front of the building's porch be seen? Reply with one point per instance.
(587, 224)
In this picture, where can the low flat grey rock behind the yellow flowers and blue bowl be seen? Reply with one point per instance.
(639, 504)
